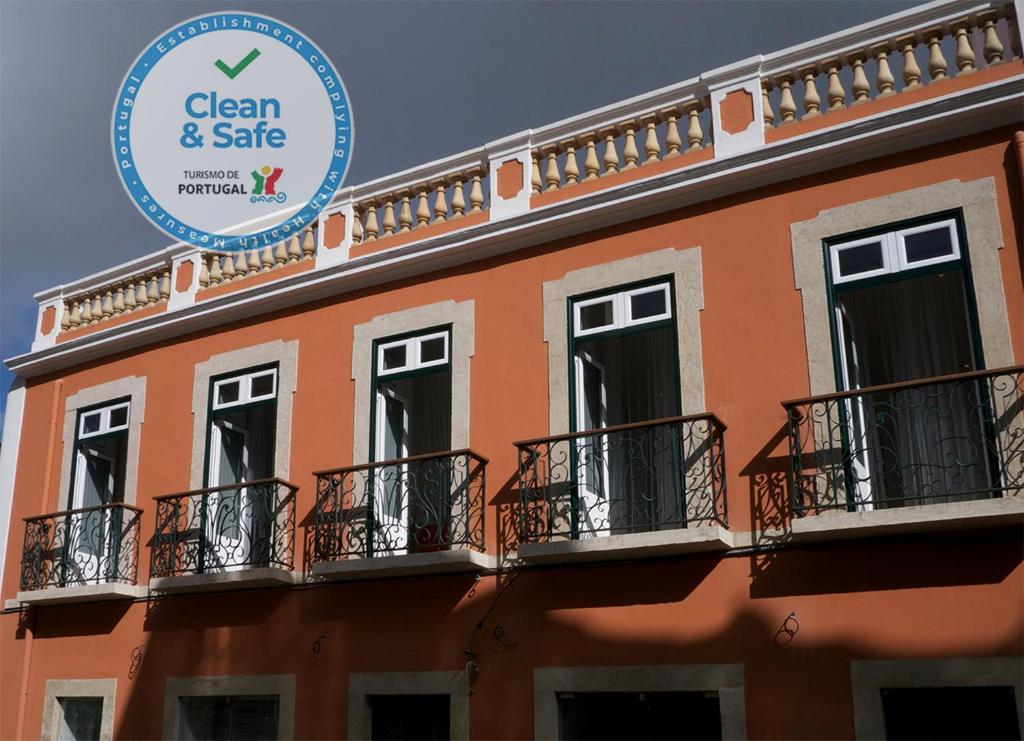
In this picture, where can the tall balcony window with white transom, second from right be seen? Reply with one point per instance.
(625, 372)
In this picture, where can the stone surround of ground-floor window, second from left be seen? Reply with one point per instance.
(281, 685)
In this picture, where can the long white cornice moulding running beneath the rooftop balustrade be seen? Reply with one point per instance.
(912, 127)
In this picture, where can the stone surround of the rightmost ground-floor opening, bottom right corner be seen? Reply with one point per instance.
(869, 678)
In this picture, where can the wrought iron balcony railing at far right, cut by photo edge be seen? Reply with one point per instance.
(947, 440)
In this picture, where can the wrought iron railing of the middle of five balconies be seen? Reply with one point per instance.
(412, 505)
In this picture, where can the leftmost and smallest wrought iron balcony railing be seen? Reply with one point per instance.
(92, 546)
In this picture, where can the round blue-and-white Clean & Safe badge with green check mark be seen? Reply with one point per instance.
(211, 117)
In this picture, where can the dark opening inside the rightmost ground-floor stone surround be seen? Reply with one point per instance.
(951, 713)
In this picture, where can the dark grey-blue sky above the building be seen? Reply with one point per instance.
(425, 80)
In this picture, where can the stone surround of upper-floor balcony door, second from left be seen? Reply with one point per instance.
(286, 355)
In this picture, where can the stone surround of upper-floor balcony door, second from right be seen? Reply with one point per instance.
(685, 268)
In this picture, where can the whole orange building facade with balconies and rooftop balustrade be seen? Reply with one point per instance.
(697, 416)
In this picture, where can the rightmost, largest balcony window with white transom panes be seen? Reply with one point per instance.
(904, 312)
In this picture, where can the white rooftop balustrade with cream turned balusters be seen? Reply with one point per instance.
(880, 60)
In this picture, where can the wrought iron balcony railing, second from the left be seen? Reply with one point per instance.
(226, 529)
